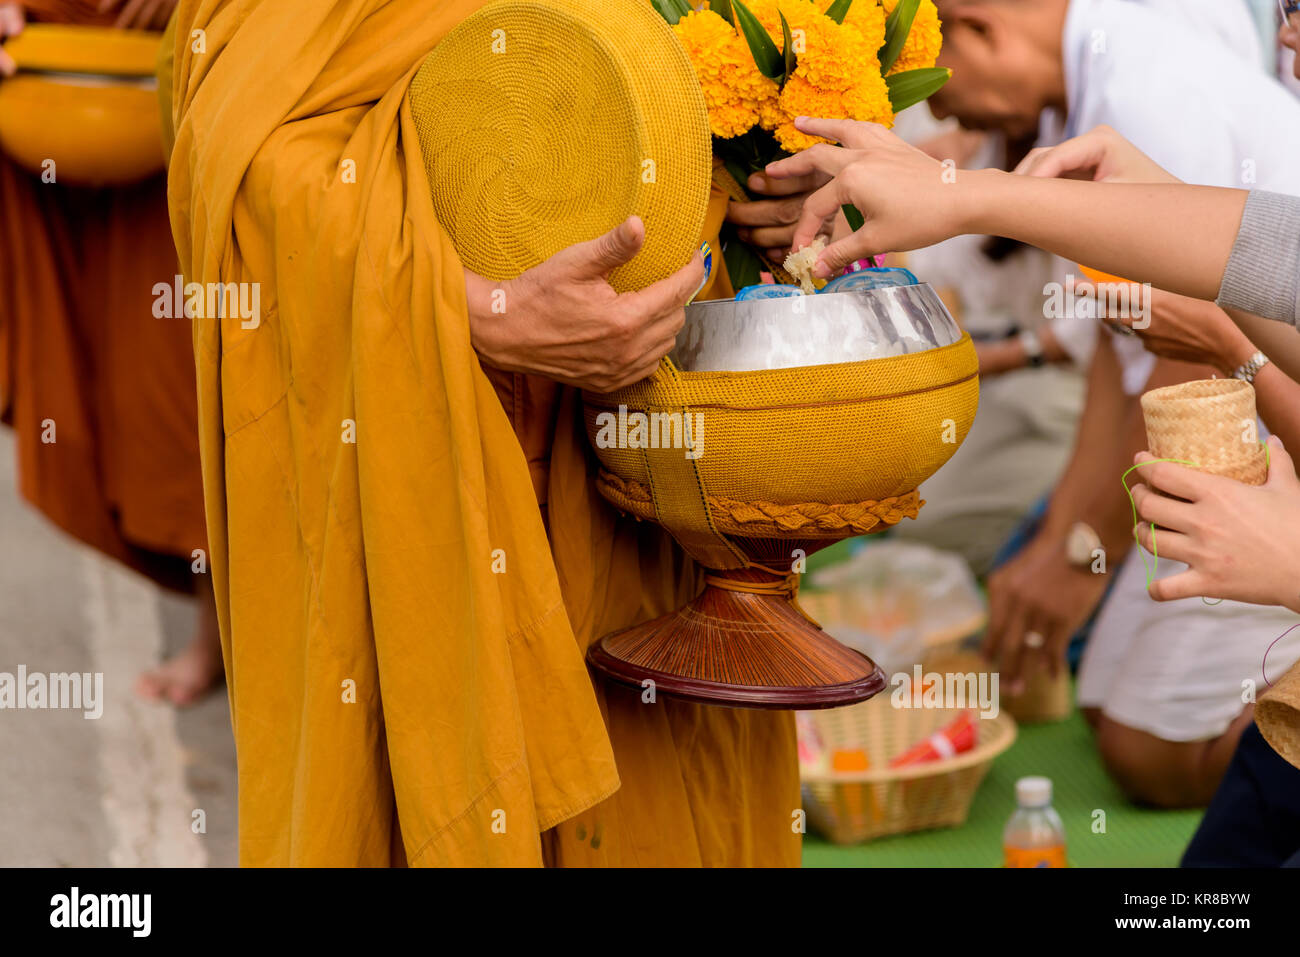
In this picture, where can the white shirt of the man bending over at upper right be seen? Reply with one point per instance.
(1169, 76)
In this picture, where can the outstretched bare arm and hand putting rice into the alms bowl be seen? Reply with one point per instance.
(1176, 237)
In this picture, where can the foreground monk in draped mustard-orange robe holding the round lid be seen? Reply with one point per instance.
(409, 553)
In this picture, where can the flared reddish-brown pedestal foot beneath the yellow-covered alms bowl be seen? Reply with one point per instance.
(742, 651)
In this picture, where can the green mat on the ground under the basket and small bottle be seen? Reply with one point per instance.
(1064, 752)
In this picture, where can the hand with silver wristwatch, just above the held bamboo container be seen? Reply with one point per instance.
(1175, 327)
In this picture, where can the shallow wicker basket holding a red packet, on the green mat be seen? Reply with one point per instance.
(857, 807)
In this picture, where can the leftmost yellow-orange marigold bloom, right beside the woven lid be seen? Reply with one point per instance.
(735, 92)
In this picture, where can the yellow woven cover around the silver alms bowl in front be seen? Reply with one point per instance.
(838, 435)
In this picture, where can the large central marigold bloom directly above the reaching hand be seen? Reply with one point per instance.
(838, 72)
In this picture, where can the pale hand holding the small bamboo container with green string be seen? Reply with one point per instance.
(1237, 540)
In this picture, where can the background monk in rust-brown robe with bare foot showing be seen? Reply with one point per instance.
(81, 348)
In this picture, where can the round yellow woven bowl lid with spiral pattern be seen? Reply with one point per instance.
(548, 123)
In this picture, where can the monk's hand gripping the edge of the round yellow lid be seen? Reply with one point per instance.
(564, 321)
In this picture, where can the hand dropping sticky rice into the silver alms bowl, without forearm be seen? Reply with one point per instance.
(907, 198)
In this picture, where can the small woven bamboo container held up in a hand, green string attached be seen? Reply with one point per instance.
(1211, 423)
